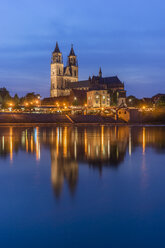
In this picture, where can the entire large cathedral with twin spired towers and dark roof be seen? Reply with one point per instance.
(64, 80)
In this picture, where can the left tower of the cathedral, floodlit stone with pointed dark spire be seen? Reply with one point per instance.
(57, 71)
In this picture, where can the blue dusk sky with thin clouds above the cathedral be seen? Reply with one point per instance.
(125, 37)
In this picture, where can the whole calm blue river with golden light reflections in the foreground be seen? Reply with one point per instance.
(82, 186)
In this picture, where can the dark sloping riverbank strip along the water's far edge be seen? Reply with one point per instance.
(157, 118)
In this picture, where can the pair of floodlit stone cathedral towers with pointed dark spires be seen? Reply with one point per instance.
(61, 75)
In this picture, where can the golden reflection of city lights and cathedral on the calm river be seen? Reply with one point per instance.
(69, 146)
